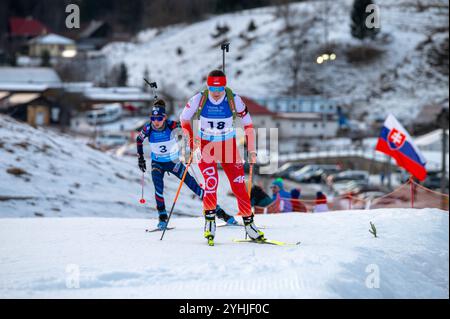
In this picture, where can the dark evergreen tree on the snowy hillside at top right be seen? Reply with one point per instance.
(359, 16)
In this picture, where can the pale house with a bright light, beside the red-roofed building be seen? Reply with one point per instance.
(57, 46)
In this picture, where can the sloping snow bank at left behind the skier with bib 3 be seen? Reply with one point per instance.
(53, 175)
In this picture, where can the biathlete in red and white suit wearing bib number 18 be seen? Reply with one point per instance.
(216, 109)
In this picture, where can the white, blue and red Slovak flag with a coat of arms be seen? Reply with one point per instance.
(397, 143)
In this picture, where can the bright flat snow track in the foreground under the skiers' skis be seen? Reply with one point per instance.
(338, 258)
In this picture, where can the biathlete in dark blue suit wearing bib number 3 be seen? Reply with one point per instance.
(165, 155)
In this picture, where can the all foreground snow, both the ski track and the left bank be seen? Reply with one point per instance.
(101, 246)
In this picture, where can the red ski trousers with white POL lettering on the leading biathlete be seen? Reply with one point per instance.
(227, 154)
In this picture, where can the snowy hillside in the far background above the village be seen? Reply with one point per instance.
(401, 81)
